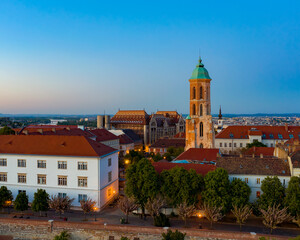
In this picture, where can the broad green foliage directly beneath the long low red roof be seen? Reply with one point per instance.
(179, 185)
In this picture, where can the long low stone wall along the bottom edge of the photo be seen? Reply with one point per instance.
(37, 229)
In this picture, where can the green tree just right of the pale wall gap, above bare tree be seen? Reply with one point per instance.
(273, 192)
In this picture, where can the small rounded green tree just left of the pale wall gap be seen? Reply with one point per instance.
(239, 192)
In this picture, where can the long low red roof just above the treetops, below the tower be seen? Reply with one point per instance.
(202, 169)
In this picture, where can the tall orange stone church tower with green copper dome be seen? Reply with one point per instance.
(199, 125)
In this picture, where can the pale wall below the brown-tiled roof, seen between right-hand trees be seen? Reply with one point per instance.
(254, 185)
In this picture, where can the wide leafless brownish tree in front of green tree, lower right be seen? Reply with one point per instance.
(274, 215)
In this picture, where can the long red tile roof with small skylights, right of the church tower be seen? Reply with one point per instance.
(267, 132)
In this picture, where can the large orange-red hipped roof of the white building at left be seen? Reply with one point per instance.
(53, 145)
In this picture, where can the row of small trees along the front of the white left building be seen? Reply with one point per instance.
(42, 202)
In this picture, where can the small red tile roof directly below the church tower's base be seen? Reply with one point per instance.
(199, 154)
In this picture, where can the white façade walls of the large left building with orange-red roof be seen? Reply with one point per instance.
(96, 173)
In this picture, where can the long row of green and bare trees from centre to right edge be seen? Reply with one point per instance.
(215, 194)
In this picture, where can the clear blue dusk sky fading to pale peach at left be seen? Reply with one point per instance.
(87, 57)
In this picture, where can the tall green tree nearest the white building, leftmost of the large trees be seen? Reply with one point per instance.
(141, 182)
